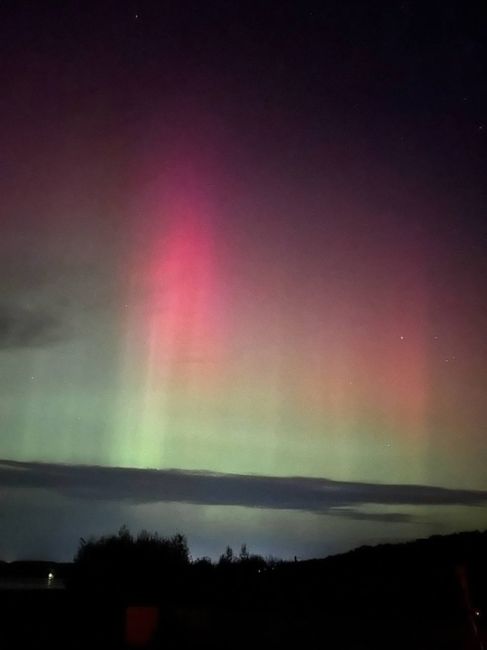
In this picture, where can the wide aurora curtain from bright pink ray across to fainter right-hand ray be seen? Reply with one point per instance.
(313, 373)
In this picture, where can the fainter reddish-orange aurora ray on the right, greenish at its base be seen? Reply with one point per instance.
(371, 389)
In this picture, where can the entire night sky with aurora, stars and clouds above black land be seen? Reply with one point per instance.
(242, 272)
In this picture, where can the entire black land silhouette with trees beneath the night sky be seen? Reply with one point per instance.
(425, 594)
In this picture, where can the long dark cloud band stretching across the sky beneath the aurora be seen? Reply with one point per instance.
(321, 496)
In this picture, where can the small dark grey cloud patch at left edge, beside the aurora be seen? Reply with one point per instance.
(22, 327)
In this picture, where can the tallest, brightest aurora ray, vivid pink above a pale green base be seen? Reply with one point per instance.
(173, 331)
